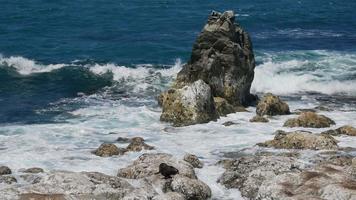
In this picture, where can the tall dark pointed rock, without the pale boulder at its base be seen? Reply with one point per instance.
(222, 56)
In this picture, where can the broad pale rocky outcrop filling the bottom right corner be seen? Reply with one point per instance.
(286, 177)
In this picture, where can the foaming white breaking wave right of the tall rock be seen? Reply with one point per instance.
(306, 71)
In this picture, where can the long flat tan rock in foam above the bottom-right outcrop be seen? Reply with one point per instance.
(301, 140)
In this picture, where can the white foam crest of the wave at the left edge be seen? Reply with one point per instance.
(26, 66)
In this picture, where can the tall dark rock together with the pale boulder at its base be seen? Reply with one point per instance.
(222, 57)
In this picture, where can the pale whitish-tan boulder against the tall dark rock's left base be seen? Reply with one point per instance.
(192, 104)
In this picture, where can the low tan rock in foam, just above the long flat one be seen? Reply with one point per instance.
(311, 120)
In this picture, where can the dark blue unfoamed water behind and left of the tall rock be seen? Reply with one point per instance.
(130, 32)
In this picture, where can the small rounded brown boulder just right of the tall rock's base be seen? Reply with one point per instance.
(272, 105)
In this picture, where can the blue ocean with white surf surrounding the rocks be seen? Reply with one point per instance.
(75, 74)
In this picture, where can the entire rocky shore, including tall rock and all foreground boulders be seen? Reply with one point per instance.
(295, 164)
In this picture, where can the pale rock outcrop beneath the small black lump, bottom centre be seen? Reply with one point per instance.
(184, 185)
